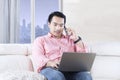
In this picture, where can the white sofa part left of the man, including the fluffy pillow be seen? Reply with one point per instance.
(15, 63)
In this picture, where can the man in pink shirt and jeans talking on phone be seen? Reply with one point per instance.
(48, 49)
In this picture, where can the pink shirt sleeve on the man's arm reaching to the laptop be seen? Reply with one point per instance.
(38, 55)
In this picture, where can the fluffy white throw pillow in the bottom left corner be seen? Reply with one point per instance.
(21, 75)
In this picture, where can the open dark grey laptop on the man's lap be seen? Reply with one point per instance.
(74, 62)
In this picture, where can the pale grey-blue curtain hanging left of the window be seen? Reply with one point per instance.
(9, 22)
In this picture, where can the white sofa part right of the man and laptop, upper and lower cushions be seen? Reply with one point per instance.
(107, 62)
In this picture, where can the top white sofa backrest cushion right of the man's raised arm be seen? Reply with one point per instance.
(109, 48)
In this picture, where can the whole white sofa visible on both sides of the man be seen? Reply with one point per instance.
(15, 57)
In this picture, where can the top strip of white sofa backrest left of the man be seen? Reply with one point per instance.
(10, 49)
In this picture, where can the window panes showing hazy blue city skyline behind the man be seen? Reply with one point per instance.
(42, 9)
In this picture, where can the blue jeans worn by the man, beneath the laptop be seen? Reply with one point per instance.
(52, 74)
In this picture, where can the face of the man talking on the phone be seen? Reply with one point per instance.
(56, 26)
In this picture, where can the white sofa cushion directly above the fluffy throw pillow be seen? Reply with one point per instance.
(15, 62)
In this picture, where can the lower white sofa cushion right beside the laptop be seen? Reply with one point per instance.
(106, 67)
